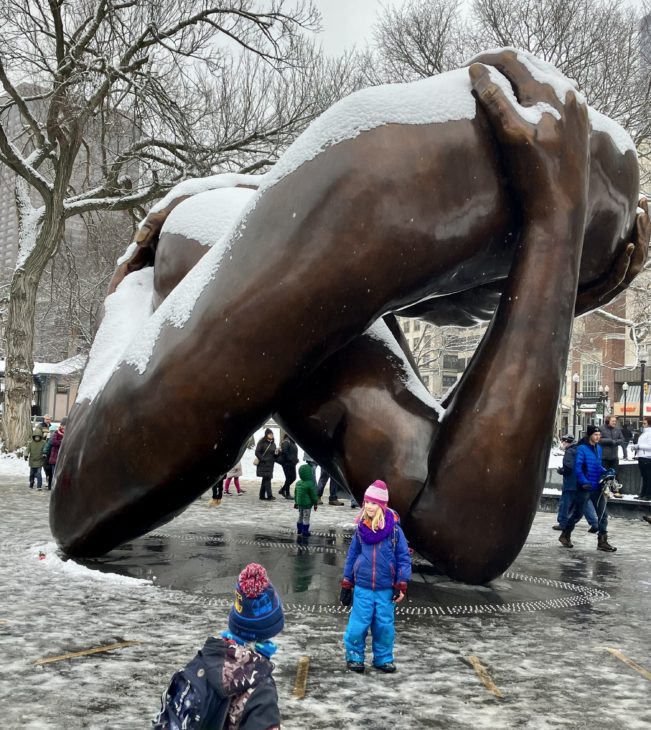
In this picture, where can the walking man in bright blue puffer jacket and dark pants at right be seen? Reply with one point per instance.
(589, 471)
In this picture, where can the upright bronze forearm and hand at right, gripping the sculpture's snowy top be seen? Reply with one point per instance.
(488, 460)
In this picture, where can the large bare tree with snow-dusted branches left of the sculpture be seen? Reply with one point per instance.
(124, 99)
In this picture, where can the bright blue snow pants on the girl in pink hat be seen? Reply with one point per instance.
(374, 610)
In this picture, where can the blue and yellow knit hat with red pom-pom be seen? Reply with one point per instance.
(257, 613)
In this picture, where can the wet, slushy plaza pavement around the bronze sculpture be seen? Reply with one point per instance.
(562, 636)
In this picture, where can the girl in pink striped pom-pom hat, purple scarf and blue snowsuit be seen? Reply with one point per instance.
(378, 566)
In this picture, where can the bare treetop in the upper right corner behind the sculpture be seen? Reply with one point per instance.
(598, 43)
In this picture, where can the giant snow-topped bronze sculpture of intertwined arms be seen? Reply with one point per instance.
(450, 221)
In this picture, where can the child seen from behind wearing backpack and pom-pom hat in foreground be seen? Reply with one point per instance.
(229, 682)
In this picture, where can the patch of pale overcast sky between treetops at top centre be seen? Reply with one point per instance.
(347, 22)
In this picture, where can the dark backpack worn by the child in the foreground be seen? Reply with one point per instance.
(190, 703)
